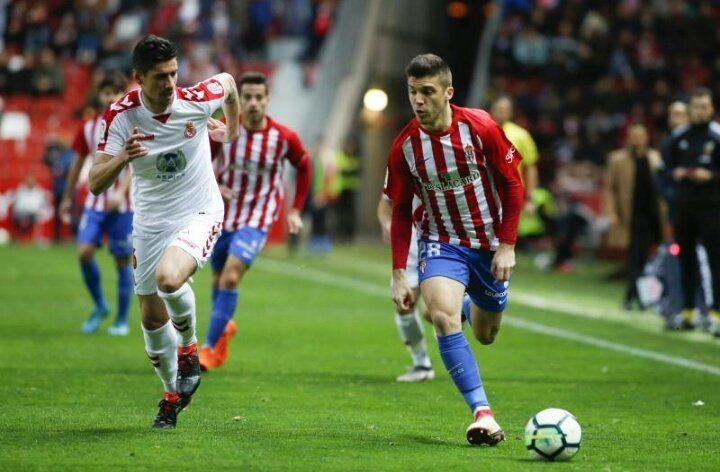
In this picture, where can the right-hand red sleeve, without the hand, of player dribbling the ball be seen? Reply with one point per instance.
(503, 162)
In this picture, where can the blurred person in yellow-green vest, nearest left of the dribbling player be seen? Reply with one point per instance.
(348, 168)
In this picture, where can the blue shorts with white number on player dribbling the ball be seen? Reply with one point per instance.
(470, 267)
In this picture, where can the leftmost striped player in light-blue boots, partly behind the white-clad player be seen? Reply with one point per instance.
(108, 213)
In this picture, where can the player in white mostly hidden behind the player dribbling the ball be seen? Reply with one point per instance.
(408, 321)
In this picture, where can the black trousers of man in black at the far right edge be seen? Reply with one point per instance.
(695, 223)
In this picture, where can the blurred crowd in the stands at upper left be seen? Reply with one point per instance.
(37, 36)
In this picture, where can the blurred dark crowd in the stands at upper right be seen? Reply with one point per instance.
(583, 71)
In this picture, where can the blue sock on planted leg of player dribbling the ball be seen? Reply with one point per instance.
(462, 367)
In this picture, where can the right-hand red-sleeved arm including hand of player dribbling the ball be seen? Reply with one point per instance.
(504, 160)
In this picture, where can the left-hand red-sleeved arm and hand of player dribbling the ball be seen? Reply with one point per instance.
(400, 190)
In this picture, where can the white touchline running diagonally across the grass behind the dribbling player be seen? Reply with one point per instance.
(340, 281)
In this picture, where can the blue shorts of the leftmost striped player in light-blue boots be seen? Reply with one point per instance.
(118, 226)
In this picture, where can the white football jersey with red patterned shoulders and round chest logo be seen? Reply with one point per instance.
(176, 179)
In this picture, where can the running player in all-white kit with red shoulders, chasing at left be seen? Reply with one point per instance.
(161, 131)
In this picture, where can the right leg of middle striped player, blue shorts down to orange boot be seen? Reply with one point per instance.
(246, 245)
